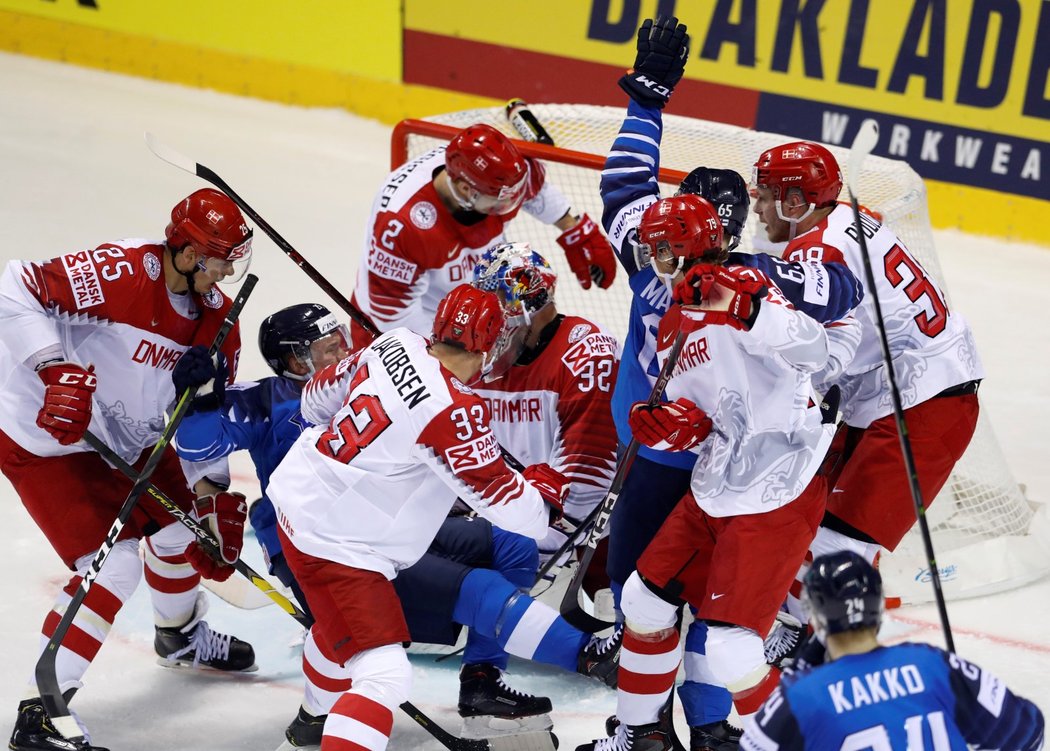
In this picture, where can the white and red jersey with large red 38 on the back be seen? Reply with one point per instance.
(932, 347)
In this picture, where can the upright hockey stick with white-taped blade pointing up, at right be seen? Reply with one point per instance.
(863, 145)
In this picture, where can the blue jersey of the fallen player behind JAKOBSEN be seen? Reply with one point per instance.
(262, 418)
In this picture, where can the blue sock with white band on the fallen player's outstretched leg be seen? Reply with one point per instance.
(499, 615)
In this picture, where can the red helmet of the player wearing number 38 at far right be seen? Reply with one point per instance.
(801, 164)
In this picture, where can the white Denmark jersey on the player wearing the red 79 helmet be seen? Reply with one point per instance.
(768, 441)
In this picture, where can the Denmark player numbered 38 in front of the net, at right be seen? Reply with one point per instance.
(935, 358)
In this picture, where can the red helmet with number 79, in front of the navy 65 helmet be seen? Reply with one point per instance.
(686, 227)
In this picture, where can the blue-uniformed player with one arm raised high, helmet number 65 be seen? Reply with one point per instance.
(659, 479)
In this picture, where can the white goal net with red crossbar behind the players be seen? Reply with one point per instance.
(986, 535)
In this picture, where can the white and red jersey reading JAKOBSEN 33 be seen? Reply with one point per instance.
(396, 441)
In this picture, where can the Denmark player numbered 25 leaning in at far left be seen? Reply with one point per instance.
(89, 341)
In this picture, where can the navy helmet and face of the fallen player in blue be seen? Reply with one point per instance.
(310, 333)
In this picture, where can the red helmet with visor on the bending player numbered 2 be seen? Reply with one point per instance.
(492, 166)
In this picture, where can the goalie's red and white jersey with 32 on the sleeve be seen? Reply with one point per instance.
(557, 410)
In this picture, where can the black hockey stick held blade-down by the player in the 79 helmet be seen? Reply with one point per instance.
(571, 609)
